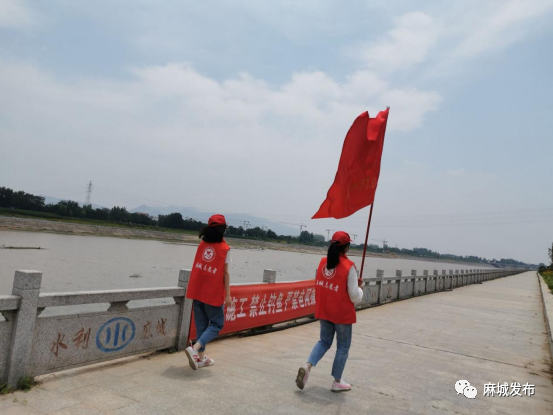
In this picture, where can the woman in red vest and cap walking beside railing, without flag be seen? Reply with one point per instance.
(209, 287)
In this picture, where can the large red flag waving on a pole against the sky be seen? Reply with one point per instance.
(357, 176)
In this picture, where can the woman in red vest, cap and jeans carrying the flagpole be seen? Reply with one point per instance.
(336, 293)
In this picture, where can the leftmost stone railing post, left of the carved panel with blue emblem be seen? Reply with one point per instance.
(26, 284)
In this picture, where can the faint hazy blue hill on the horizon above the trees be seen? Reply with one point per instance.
(234, 219)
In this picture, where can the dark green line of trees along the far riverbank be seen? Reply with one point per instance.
(22, 204)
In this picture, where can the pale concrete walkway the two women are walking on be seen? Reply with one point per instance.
(405, 358)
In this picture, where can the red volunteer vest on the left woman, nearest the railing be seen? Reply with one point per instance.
(207, 282)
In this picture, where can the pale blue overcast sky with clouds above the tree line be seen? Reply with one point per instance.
(242, 106)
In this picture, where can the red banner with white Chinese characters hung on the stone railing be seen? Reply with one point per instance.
(264, 304)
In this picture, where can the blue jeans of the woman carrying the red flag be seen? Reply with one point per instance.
(343, 338)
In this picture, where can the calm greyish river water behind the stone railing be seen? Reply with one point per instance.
(79, 263)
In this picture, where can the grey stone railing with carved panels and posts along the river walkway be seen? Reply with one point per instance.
(32, 345)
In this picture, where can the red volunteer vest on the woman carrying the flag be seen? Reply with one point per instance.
(331, 293)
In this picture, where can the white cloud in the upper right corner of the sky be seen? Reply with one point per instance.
(447, 38)
